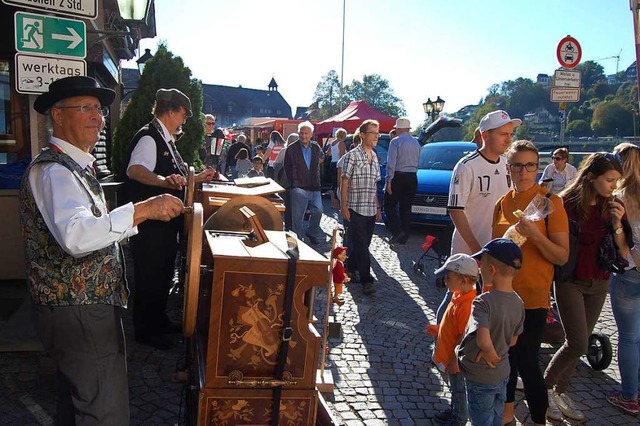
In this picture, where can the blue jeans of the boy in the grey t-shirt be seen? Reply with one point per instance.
(486, 402)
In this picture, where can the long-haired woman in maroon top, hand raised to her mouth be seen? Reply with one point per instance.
(590, 203)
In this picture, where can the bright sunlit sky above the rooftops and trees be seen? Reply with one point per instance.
(455, 49)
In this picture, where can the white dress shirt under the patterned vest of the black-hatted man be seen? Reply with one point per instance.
(66, 206)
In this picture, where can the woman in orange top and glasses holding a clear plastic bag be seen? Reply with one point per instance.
(547, 244)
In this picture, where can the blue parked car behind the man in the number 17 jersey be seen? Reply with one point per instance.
(437, 161)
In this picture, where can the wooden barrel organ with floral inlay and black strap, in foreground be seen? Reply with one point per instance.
(235, 290)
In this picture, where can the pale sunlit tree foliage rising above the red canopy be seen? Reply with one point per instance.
(375, 90)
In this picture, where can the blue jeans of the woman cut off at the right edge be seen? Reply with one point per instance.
(625, 303)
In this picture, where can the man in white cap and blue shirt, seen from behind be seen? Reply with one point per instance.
(401, 180)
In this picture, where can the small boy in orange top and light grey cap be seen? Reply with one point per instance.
(460, 273)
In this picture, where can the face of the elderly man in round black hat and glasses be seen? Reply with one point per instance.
(71, 124)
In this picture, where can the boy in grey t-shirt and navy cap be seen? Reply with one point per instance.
(497, 318)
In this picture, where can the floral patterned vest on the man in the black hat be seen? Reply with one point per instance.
(55, 277)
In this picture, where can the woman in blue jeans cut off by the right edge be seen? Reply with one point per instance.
(625, 288)
